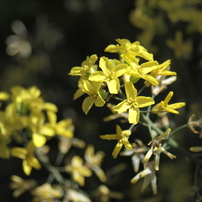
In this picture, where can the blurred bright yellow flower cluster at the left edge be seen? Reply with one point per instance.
(23, 119)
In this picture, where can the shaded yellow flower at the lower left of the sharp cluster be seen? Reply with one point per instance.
(93, 89)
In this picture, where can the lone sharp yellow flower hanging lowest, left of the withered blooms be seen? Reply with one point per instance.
(121, 137)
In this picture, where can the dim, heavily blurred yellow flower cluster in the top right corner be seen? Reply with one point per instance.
(155, 18)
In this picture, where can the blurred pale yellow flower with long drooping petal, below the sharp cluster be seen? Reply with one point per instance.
(93, 162)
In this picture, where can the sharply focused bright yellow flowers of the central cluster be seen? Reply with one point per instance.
(112, 77)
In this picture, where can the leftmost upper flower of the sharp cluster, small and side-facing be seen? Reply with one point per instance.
(87, 67)
